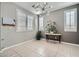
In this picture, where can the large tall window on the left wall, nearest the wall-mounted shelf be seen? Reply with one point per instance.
(21, 21)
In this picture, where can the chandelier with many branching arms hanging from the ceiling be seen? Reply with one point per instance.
(41, 7)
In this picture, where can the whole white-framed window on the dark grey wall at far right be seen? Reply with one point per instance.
(70, 21)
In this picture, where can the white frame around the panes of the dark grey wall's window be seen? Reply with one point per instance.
(68, 28)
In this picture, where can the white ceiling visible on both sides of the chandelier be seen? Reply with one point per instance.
(55, 5)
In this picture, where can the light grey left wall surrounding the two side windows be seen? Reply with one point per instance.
(8, 33)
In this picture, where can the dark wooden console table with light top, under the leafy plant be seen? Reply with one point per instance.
(51, 36)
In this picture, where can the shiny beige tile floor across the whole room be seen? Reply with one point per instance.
(42, 48)
